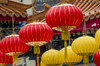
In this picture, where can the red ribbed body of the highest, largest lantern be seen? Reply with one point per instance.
(64, 15)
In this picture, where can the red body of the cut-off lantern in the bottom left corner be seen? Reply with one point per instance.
(5, 58)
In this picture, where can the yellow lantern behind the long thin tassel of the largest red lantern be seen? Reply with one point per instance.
(72, 58)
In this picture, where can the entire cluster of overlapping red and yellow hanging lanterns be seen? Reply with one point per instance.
(63, 17)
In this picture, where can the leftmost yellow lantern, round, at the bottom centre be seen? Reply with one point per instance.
(50, 58)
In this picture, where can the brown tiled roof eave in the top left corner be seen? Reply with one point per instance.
(9, 7)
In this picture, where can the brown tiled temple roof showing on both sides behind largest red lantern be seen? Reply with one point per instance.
(90, 9)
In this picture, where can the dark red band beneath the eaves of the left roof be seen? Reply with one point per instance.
(15, 18)
